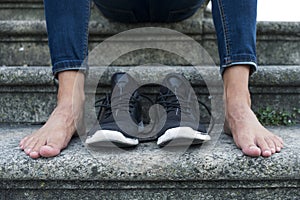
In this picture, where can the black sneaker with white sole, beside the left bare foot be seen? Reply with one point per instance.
(123, 104)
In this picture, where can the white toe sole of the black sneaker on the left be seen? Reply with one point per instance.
(109, 138)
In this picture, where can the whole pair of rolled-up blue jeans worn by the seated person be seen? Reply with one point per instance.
(67, 26)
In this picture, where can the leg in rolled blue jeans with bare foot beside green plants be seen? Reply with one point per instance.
(235, 22)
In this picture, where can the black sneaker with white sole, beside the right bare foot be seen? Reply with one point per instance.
(182, 126)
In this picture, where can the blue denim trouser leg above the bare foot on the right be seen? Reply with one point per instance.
(235, 24)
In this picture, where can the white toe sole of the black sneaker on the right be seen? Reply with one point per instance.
(181, 136)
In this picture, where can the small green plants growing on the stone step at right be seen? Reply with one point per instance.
(270, 116)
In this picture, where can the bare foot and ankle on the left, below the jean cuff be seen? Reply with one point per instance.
(55, 135)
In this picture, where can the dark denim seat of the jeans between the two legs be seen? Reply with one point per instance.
(131, 11)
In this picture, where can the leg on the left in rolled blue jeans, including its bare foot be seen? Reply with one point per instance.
(67, 25)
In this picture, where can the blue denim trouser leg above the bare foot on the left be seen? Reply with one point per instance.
(67, 28)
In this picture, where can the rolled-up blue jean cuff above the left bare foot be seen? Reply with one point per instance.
(70, 65)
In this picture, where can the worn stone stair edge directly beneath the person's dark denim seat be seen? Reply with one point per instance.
(38, 27)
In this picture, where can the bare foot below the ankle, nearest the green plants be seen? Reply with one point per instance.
(248, 134)
